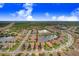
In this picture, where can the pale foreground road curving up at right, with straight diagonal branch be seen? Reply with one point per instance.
(69, 43)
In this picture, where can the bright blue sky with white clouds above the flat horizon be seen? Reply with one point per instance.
(39, 11)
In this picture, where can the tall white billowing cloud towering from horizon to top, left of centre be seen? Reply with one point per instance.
(25, 14)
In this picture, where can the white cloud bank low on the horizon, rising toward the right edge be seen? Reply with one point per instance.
(73, 17)
